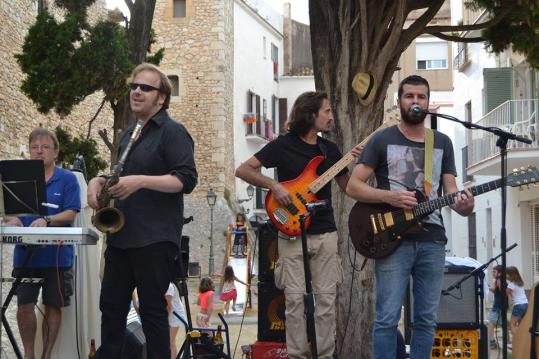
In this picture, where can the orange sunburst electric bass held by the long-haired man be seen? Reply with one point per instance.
(303, 188)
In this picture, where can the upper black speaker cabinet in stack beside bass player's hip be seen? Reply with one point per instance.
(268, 252)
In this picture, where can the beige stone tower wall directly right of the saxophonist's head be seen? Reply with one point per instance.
(199, 51)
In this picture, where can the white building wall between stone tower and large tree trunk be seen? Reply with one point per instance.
(253, 71)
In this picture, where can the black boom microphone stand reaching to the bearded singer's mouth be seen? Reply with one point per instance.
(503, 138)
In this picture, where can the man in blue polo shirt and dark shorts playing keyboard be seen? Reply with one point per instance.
(52, 263)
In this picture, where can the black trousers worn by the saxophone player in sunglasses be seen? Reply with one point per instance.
(150, 269)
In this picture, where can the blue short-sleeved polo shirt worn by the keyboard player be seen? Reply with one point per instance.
(62, 190)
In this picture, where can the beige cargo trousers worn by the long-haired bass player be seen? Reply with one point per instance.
(326, 273)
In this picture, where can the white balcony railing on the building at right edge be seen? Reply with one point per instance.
(517, 116)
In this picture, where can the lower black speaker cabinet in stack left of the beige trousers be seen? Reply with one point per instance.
(271, 313)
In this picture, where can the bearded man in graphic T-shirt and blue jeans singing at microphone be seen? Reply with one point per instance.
(396, 156)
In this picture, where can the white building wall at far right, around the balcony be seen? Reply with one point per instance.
(468, 87)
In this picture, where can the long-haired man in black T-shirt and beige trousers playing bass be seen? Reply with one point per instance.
(289, 154)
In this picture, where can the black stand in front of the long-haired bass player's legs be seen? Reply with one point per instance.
(308, 297)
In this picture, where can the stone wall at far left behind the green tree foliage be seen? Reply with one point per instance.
(18, 114)
